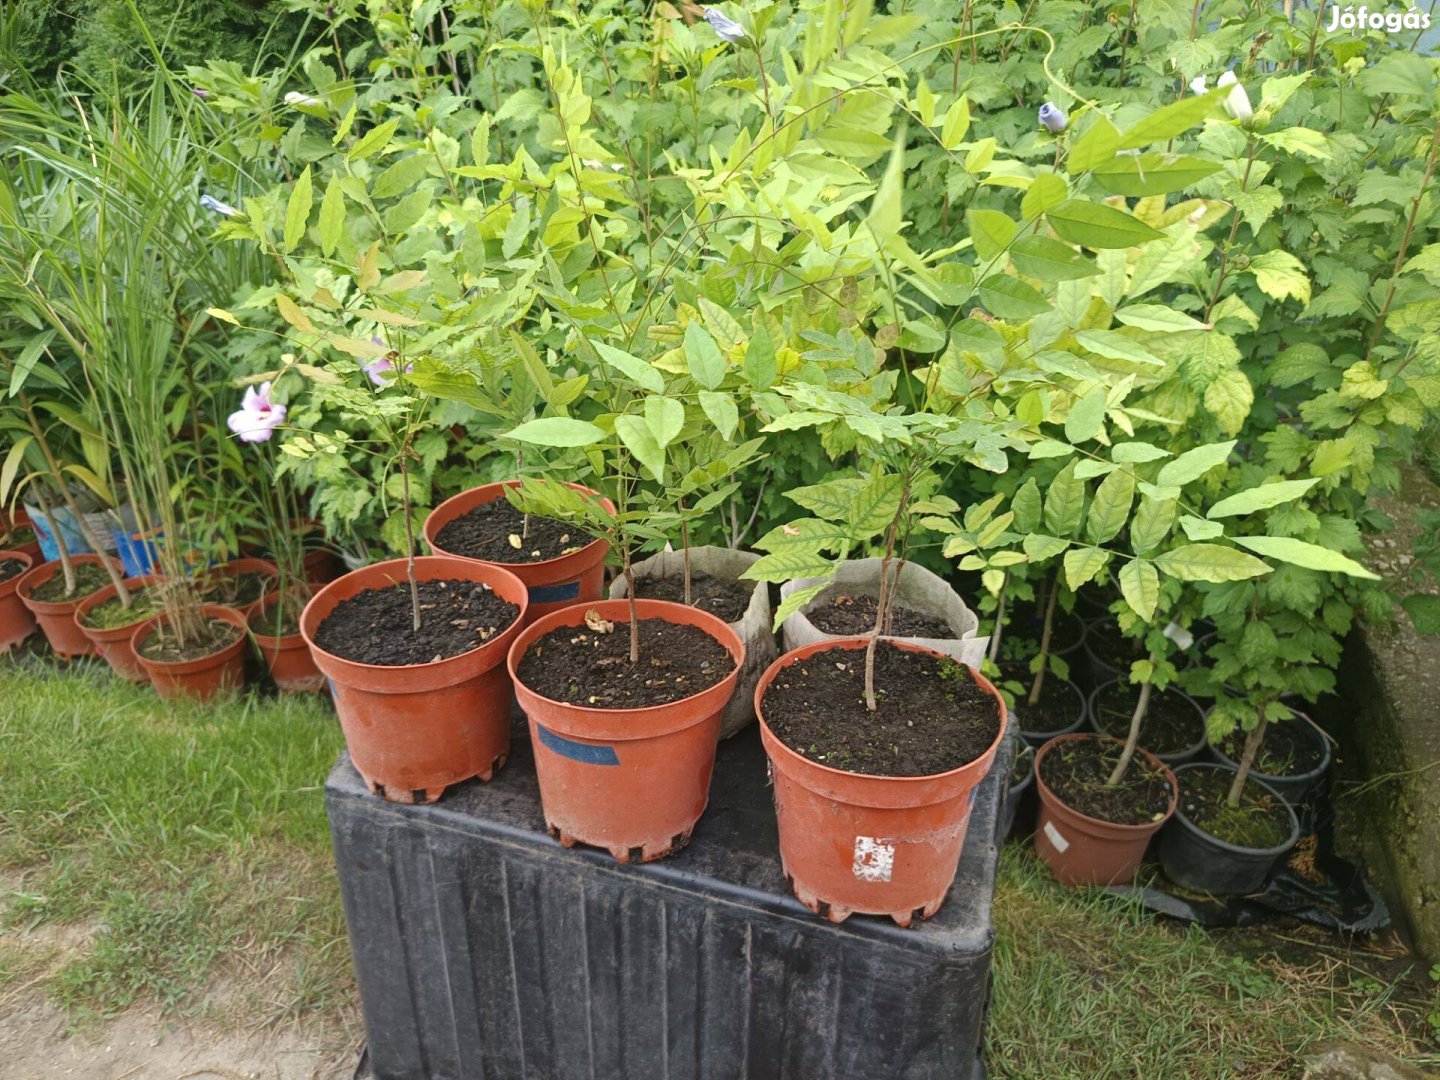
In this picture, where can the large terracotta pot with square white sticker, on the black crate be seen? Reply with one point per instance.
(862, 843)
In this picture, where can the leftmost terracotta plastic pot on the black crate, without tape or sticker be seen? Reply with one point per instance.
(415, 729)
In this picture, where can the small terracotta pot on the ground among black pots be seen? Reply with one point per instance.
(1082, 850)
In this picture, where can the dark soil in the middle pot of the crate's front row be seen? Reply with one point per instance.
(591, 667)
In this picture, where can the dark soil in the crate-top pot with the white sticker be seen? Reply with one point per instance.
(931, 716)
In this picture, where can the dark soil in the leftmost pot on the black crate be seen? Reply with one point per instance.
(378, 627)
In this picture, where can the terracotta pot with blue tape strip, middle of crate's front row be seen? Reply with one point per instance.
(633, 781)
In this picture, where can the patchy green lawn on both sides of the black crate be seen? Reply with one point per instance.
(191, 845)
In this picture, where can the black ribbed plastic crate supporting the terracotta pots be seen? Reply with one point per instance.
(485, 951)
